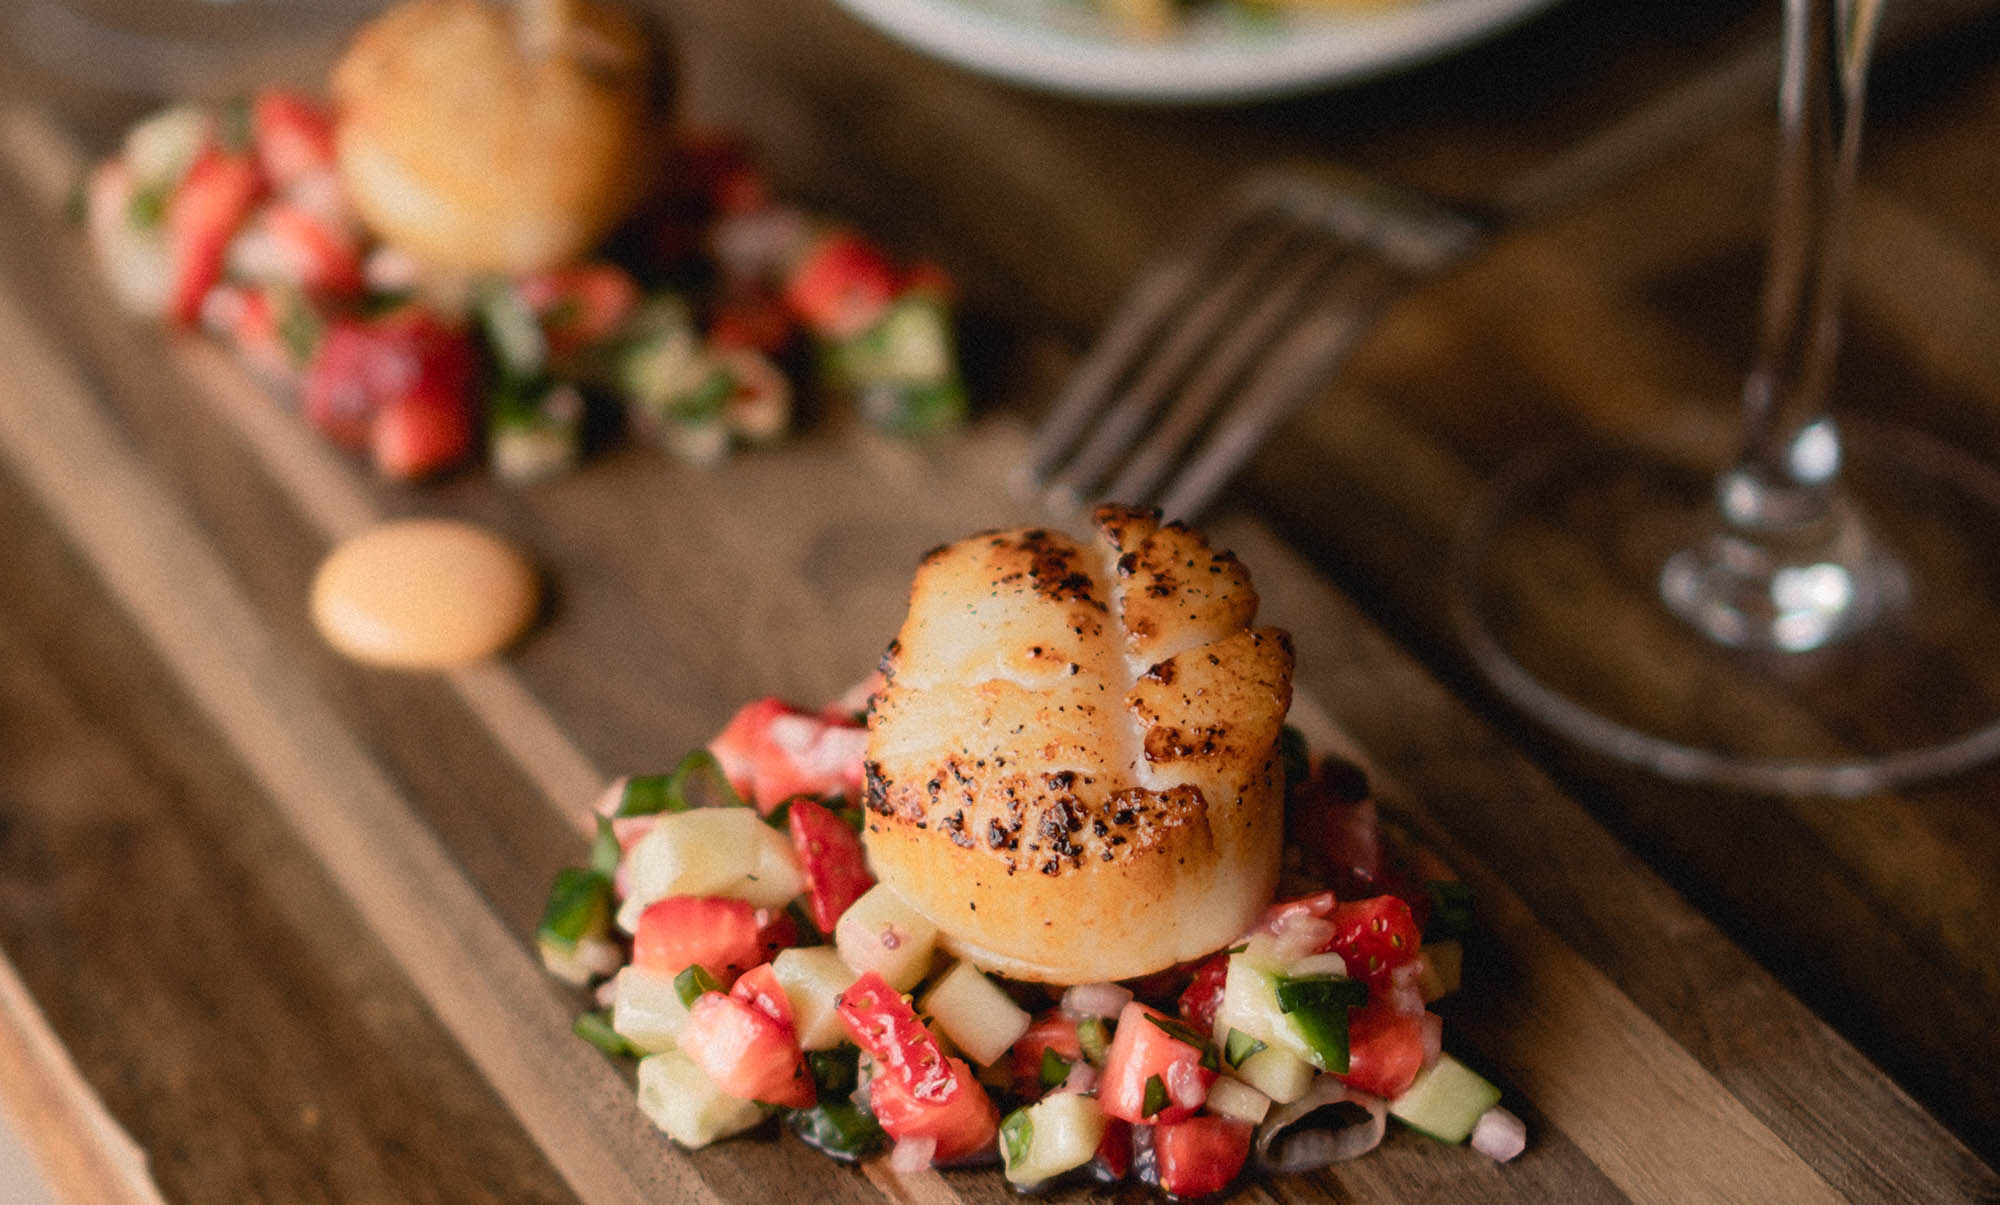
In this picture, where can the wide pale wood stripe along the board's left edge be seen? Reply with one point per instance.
(469, 968)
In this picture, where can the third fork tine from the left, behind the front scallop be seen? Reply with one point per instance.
(1209, 387)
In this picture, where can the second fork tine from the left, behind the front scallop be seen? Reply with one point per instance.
(1179, 347)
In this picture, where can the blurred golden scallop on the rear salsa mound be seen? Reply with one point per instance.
(497, 137)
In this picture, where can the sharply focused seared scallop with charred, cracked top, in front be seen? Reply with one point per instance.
(1073, 764)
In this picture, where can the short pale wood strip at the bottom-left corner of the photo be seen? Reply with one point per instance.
(75, 1142)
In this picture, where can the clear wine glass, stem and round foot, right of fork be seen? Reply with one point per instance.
(1839, 579)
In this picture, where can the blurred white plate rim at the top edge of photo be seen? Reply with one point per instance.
(1221, 55)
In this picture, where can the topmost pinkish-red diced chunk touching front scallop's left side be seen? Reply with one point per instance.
(773, 752)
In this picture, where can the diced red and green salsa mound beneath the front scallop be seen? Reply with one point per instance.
(747, 960)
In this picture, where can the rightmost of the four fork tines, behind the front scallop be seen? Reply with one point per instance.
(1287, 379)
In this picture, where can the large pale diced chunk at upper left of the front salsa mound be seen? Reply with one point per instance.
(725, 852)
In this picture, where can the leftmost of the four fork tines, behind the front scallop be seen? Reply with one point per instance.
(1155, 297)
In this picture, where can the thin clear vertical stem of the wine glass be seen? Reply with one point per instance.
(1787, 471)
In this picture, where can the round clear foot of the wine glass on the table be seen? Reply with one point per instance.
(1563, 577)
